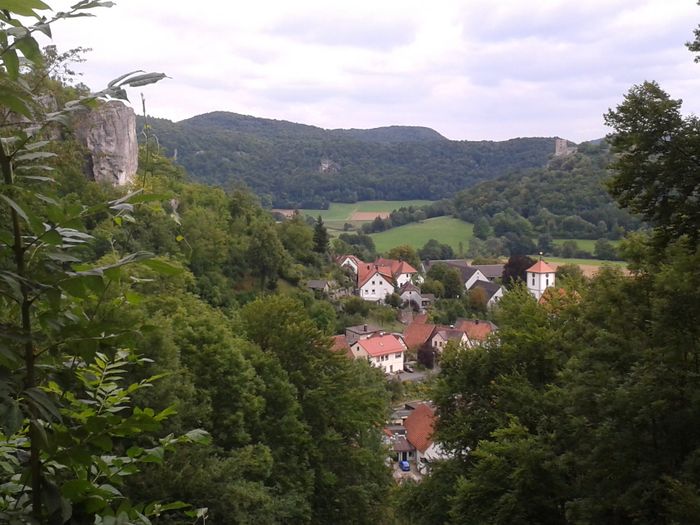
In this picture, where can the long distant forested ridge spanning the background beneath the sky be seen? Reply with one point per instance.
(298, 165)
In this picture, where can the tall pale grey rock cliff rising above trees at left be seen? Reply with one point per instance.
(109, 134)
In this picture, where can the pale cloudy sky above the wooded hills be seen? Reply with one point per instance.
(470, 69)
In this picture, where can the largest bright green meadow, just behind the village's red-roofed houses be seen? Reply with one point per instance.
(446, 230)
